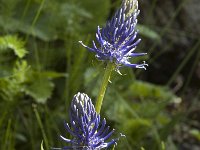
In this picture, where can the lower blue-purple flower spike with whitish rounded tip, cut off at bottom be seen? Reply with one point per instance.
(89, 133)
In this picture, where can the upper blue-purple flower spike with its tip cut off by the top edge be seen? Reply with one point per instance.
(117, 40)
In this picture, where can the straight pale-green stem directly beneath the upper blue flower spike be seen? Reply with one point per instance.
(103, 87)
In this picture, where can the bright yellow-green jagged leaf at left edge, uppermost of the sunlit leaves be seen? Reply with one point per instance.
(14, 43)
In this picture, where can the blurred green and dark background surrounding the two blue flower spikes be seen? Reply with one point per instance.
(42, 66)
